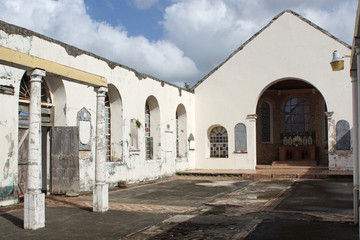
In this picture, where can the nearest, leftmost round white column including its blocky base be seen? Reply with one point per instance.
(34, 200)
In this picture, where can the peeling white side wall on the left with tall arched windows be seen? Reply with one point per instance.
(69, 98)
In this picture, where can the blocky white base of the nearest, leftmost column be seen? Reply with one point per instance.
(34, 211)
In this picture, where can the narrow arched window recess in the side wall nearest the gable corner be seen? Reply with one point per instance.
(181, 131)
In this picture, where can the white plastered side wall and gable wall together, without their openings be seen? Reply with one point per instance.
(288, 48)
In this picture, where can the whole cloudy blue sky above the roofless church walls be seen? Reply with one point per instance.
(173, 40)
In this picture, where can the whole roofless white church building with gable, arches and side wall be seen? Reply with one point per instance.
(73, 121)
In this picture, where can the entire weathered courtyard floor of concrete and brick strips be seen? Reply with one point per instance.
(186, 207)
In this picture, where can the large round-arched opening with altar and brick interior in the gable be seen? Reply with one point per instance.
(291, 126)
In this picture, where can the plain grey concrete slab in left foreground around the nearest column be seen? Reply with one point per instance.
(75, 223)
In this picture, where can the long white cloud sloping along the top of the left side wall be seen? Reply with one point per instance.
(67, 21)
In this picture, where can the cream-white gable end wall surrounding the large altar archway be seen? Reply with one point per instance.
(287, 48)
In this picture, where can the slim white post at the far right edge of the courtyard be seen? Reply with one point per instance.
(355, 140)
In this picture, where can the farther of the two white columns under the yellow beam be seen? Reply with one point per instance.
(100, 193)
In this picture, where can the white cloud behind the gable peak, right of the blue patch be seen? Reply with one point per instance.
(209, 30)
